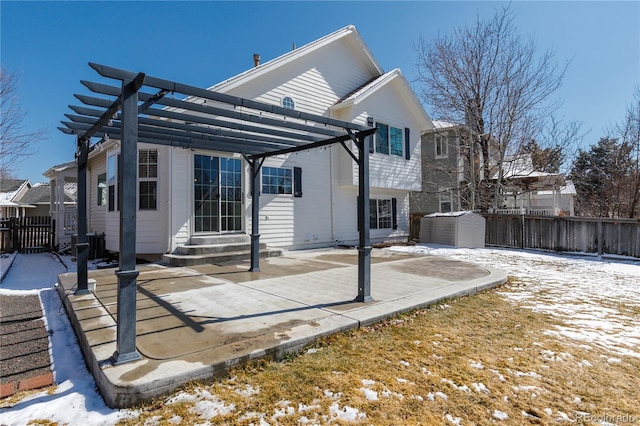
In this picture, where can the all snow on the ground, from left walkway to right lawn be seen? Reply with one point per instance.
(593, 297)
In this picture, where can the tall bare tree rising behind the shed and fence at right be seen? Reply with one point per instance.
(493, 80)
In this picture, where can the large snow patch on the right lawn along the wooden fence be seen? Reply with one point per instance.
(595, 298)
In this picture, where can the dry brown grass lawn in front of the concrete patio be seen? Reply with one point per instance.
(486, 354)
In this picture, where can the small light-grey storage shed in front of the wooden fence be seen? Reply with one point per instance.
(460, 229)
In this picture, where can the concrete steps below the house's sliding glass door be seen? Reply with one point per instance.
(216, 249)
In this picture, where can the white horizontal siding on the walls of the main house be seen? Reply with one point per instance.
(325, 212)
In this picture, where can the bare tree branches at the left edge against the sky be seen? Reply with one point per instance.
(16, 142)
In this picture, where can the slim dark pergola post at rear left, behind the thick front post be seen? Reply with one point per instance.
(82, 246)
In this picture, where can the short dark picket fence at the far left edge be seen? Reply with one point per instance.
(30, 234)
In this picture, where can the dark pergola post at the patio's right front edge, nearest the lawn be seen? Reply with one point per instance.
(364, 248)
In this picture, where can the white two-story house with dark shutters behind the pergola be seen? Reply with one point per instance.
(308, 199)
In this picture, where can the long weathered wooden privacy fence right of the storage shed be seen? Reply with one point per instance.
(568, 234)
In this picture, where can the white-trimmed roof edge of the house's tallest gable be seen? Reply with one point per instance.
(250, 74)
